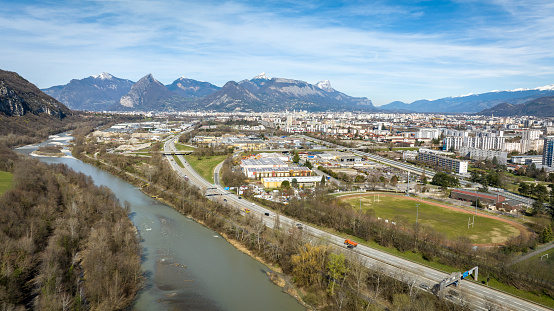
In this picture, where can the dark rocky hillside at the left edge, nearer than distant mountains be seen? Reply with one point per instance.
(19, 97)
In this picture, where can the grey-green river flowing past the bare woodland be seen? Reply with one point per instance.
(188, 267)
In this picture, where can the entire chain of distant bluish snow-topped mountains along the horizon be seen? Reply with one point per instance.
(106, 92)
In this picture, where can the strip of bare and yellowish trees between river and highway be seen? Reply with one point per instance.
(320, 275)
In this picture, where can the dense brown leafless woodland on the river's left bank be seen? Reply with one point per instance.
(65, 244)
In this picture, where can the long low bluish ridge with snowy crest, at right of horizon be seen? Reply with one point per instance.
(472, 103)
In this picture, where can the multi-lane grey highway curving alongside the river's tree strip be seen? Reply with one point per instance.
(476, 295)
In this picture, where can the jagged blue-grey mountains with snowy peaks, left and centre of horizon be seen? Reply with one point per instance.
(106, 92)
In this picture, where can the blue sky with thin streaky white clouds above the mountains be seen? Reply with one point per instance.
(383, 50)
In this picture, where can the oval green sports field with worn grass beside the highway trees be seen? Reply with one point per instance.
(452, 223)
